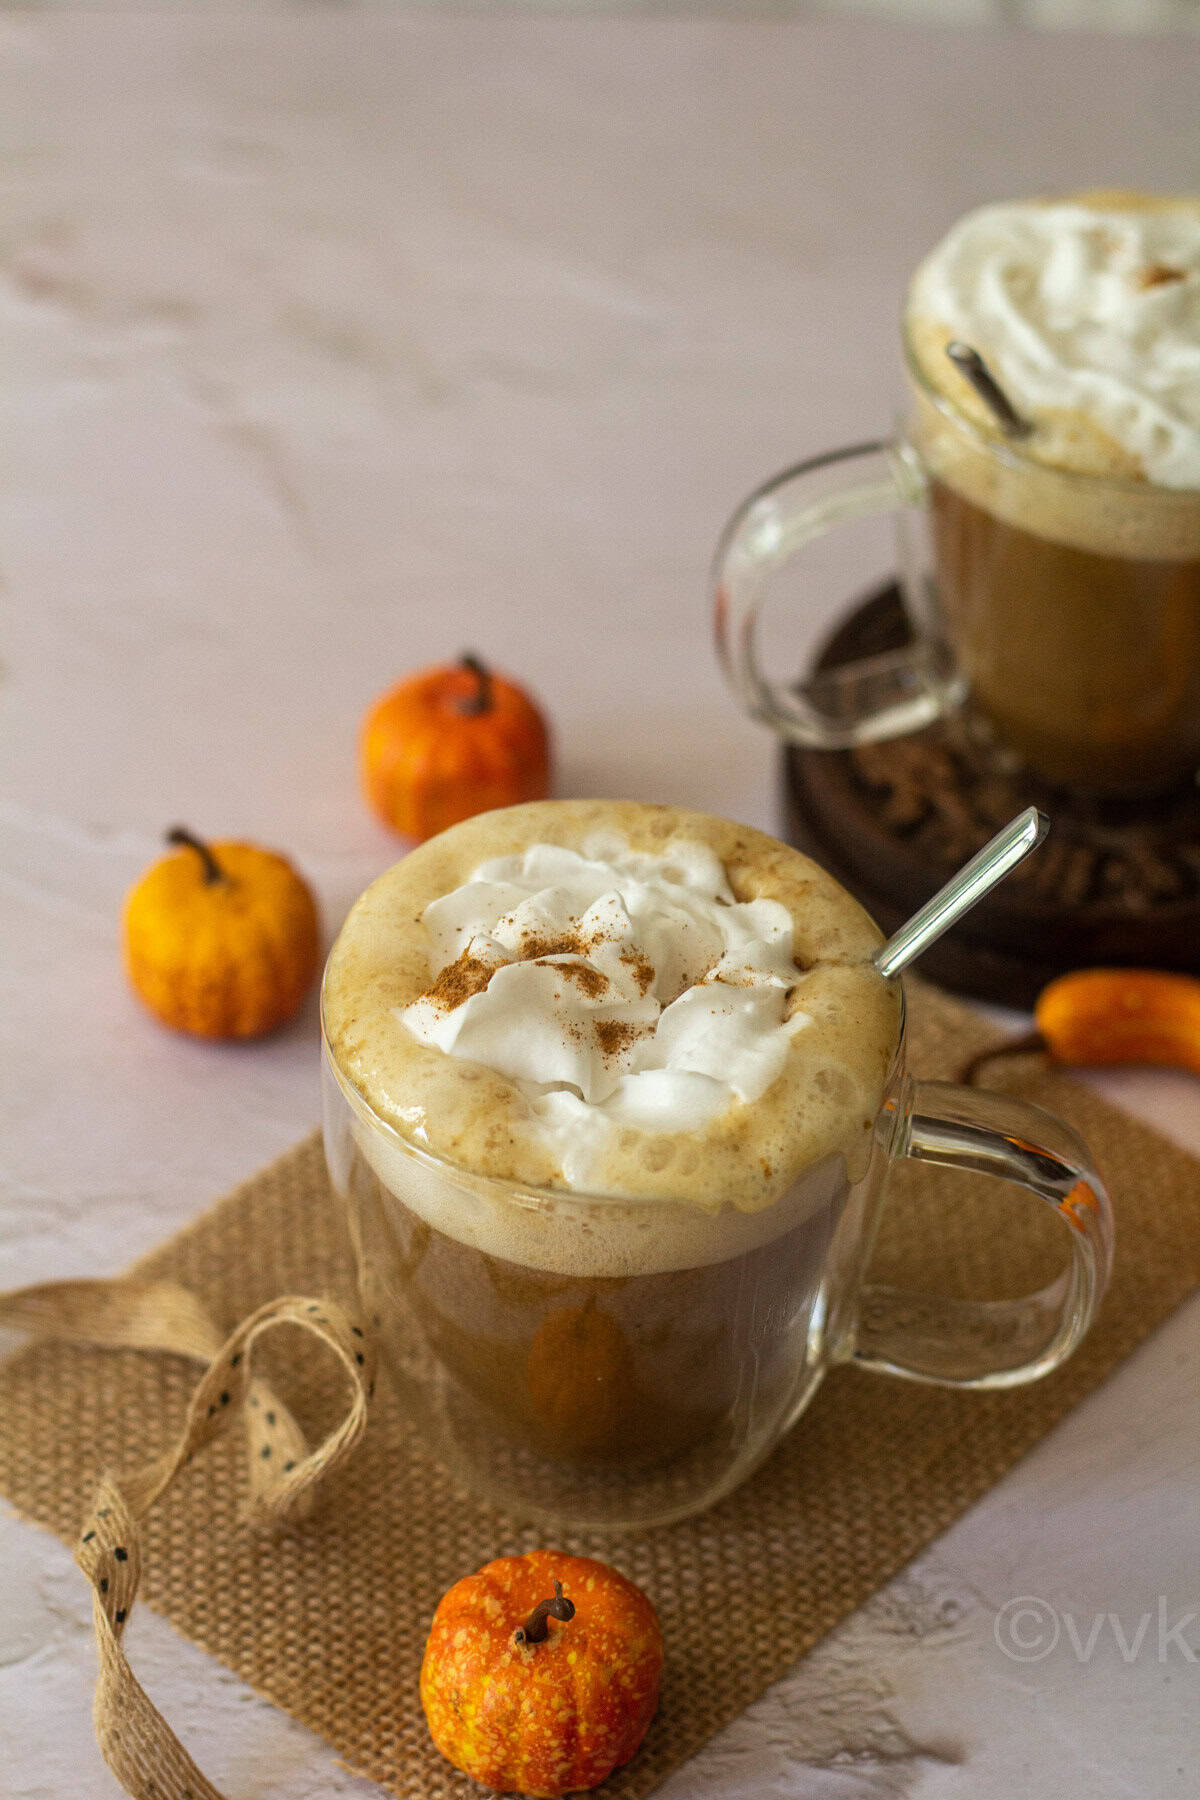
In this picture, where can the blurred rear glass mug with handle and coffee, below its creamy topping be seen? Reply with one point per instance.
(1066, 606)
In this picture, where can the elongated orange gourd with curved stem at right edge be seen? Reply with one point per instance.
(1106, 1016)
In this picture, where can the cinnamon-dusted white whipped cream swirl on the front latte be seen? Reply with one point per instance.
(613, 987)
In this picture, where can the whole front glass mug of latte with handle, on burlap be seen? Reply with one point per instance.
(609, 1099)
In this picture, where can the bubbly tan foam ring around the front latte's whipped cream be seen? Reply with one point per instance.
(744, 1160)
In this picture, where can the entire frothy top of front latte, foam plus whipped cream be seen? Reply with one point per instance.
(620, 1000)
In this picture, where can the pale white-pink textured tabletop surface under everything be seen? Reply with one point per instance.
(337, 343)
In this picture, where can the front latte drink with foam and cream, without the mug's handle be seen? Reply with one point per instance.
(625, 1002)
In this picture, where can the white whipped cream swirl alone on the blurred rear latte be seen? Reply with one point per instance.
(1084, 309)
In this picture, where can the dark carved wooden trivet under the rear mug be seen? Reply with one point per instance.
(1118, 883)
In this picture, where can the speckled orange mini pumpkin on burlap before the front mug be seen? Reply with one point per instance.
(542, 1673)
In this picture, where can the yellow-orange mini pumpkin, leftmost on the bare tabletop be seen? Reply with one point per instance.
(222, 940)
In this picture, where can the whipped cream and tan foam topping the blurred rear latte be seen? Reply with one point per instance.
(1089, 316)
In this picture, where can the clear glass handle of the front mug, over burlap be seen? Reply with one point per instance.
(992, 1344)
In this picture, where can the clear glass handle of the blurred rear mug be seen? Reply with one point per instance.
(859, 703)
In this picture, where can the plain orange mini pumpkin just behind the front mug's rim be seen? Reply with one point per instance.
(451, 742)
